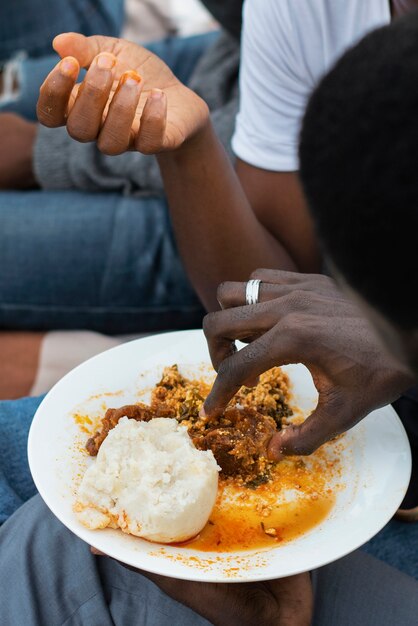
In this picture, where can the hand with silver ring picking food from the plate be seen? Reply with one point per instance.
(301, 318)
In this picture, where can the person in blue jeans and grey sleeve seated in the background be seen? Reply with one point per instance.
(135, 281)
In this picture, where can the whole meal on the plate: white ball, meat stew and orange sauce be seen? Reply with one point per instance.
(256, 504)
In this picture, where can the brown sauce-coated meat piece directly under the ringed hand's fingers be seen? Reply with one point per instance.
(239, 441)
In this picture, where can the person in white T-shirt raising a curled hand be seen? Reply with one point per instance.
(256, 216)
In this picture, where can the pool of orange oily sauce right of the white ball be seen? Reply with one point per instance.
(246, 519)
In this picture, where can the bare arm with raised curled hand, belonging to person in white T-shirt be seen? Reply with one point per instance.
(222, 234)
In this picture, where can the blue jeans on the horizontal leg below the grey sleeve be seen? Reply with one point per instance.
(99, 261)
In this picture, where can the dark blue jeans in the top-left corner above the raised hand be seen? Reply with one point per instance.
(31, 25)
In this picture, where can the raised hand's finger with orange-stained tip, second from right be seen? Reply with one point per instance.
(116, 135)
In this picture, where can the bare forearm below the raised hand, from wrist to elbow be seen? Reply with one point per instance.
(218, 235)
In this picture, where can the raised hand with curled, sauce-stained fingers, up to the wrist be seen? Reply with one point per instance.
(129, 98)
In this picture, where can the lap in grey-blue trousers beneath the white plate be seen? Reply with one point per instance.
(60, 582)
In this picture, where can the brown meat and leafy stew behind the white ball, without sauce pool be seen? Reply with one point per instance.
(238, 437)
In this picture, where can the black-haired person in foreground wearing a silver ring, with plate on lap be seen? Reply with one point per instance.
(356, 589)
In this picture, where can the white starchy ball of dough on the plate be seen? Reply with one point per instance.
(150, 481)
